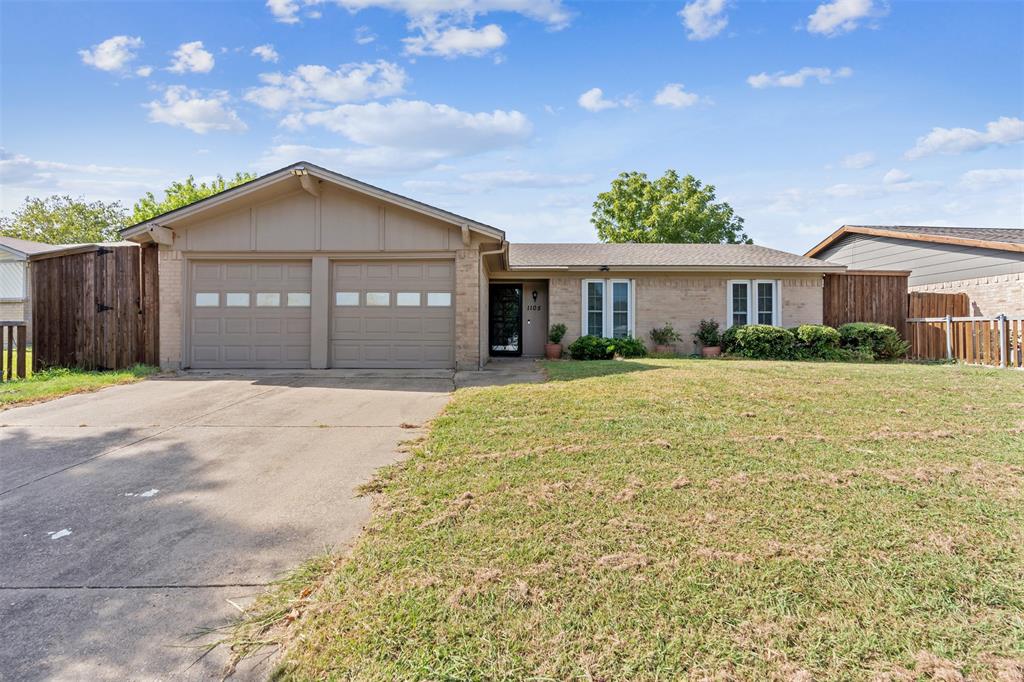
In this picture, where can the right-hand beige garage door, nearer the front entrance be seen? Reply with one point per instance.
(398, 315)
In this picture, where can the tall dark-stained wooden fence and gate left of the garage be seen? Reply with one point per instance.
(96, 308)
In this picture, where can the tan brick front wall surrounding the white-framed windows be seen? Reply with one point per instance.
(684, 302)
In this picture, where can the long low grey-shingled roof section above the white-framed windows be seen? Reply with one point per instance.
(660, 257)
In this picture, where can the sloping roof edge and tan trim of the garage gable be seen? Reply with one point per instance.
(305, 167)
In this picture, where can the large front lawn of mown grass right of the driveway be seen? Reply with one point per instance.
(662, 520)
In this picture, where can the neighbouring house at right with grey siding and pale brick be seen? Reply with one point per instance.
(987, 264)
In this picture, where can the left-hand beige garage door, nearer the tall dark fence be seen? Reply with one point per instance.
(249, 315)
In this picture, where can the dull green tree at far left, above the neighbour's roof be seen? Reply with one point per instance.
(63, 220)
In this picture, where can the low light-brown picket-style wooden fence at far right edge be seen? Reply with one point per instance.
(996, 342)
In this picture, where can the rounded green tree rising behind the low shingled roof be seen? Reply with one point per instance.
(669, 210)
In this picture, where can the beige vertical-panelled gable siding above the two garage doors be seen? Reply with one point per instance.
(338, 222)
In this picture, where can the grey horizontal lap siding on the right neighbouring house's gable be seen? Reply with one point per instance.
(929, 263)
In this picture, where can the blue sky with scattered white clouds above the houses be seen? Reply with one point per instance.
(804, 115)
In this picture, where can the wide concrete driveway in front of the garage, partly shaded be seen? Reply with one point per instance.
(131, 518)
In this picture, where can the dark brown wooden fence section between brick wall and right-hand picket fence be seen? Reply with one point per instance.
(876, 296)
